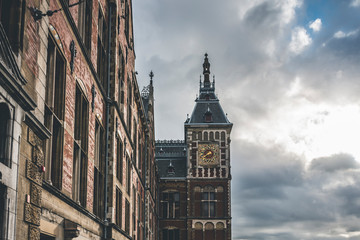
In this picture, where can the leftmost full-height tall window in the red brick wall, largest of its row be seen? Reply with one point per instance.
(55, 113)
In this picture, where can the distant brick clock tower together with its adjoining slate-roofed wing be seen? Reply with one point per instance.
(195, 173)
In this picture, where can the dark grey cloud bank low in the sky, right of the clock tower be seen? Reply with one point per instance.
(274, 191)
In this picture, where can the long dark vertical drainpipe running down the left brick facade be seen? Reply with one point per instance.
(108, 102)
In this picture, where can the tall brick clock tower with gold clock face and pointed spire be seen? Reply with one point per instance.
(207, 138)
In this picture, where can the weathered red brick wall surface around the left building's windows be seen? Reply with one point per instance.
(59, 204)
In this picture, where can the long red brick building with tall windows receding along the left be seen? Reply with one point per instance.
(77, 146)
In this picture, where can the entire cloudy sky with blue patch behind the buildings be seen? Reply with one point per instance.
(288, 75)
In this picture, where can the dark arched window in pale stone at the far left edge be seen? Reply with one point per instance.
(5, 134)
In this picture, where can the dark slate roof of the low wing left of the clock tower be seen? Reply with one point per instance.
(171, 154)
